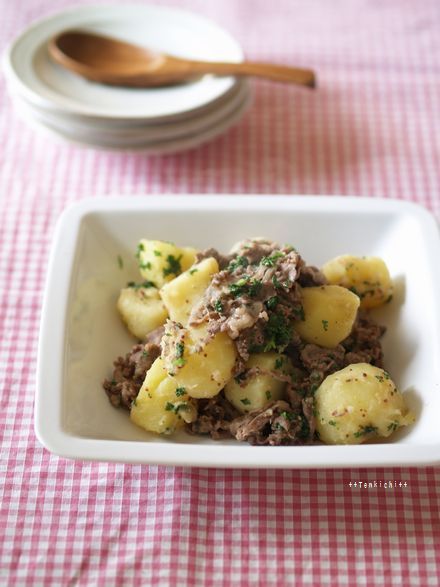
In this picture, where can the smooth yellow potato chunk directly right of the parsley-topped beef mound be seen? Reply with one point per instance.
(329, 314)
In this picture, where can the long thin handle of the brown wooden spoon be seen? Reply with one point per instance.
(278, 73)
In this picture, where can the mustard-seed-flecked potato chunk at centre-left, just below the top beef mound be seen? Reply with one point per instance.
(200, 364)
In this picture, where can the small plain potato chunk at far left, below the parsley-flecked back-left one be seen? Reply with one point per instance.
(141, 309)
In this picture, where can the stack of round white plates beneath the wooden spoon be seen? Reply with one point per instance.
(155, 120)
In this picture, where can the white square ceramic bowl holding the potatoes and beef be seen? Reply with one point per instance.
(81, 333)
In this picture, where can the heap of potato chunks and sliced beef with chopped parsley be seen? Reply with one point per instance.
(256, 345)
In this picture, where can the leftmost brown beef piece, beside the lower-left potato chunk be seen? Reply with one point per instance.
(129, 374)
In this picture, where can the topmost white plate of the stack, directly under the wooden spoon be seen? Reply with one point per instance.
(45, 84)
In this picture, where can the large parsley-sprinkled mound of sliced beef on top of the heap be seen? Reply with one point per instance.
(256, 293)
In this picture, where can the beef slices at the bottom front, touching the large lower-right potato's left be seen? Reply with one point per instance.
(275, 424)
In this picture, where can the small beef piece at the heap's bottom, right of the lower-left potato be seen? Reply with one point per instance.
(214, 417)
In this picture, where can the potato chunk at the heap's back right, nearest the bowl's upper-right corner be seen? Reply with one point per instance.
(368, 277)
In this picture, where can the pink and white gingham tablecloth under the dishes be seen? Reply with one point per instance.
(372, 128)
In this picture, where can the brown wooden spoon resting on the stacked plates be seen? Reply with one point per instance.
(110, 61)
